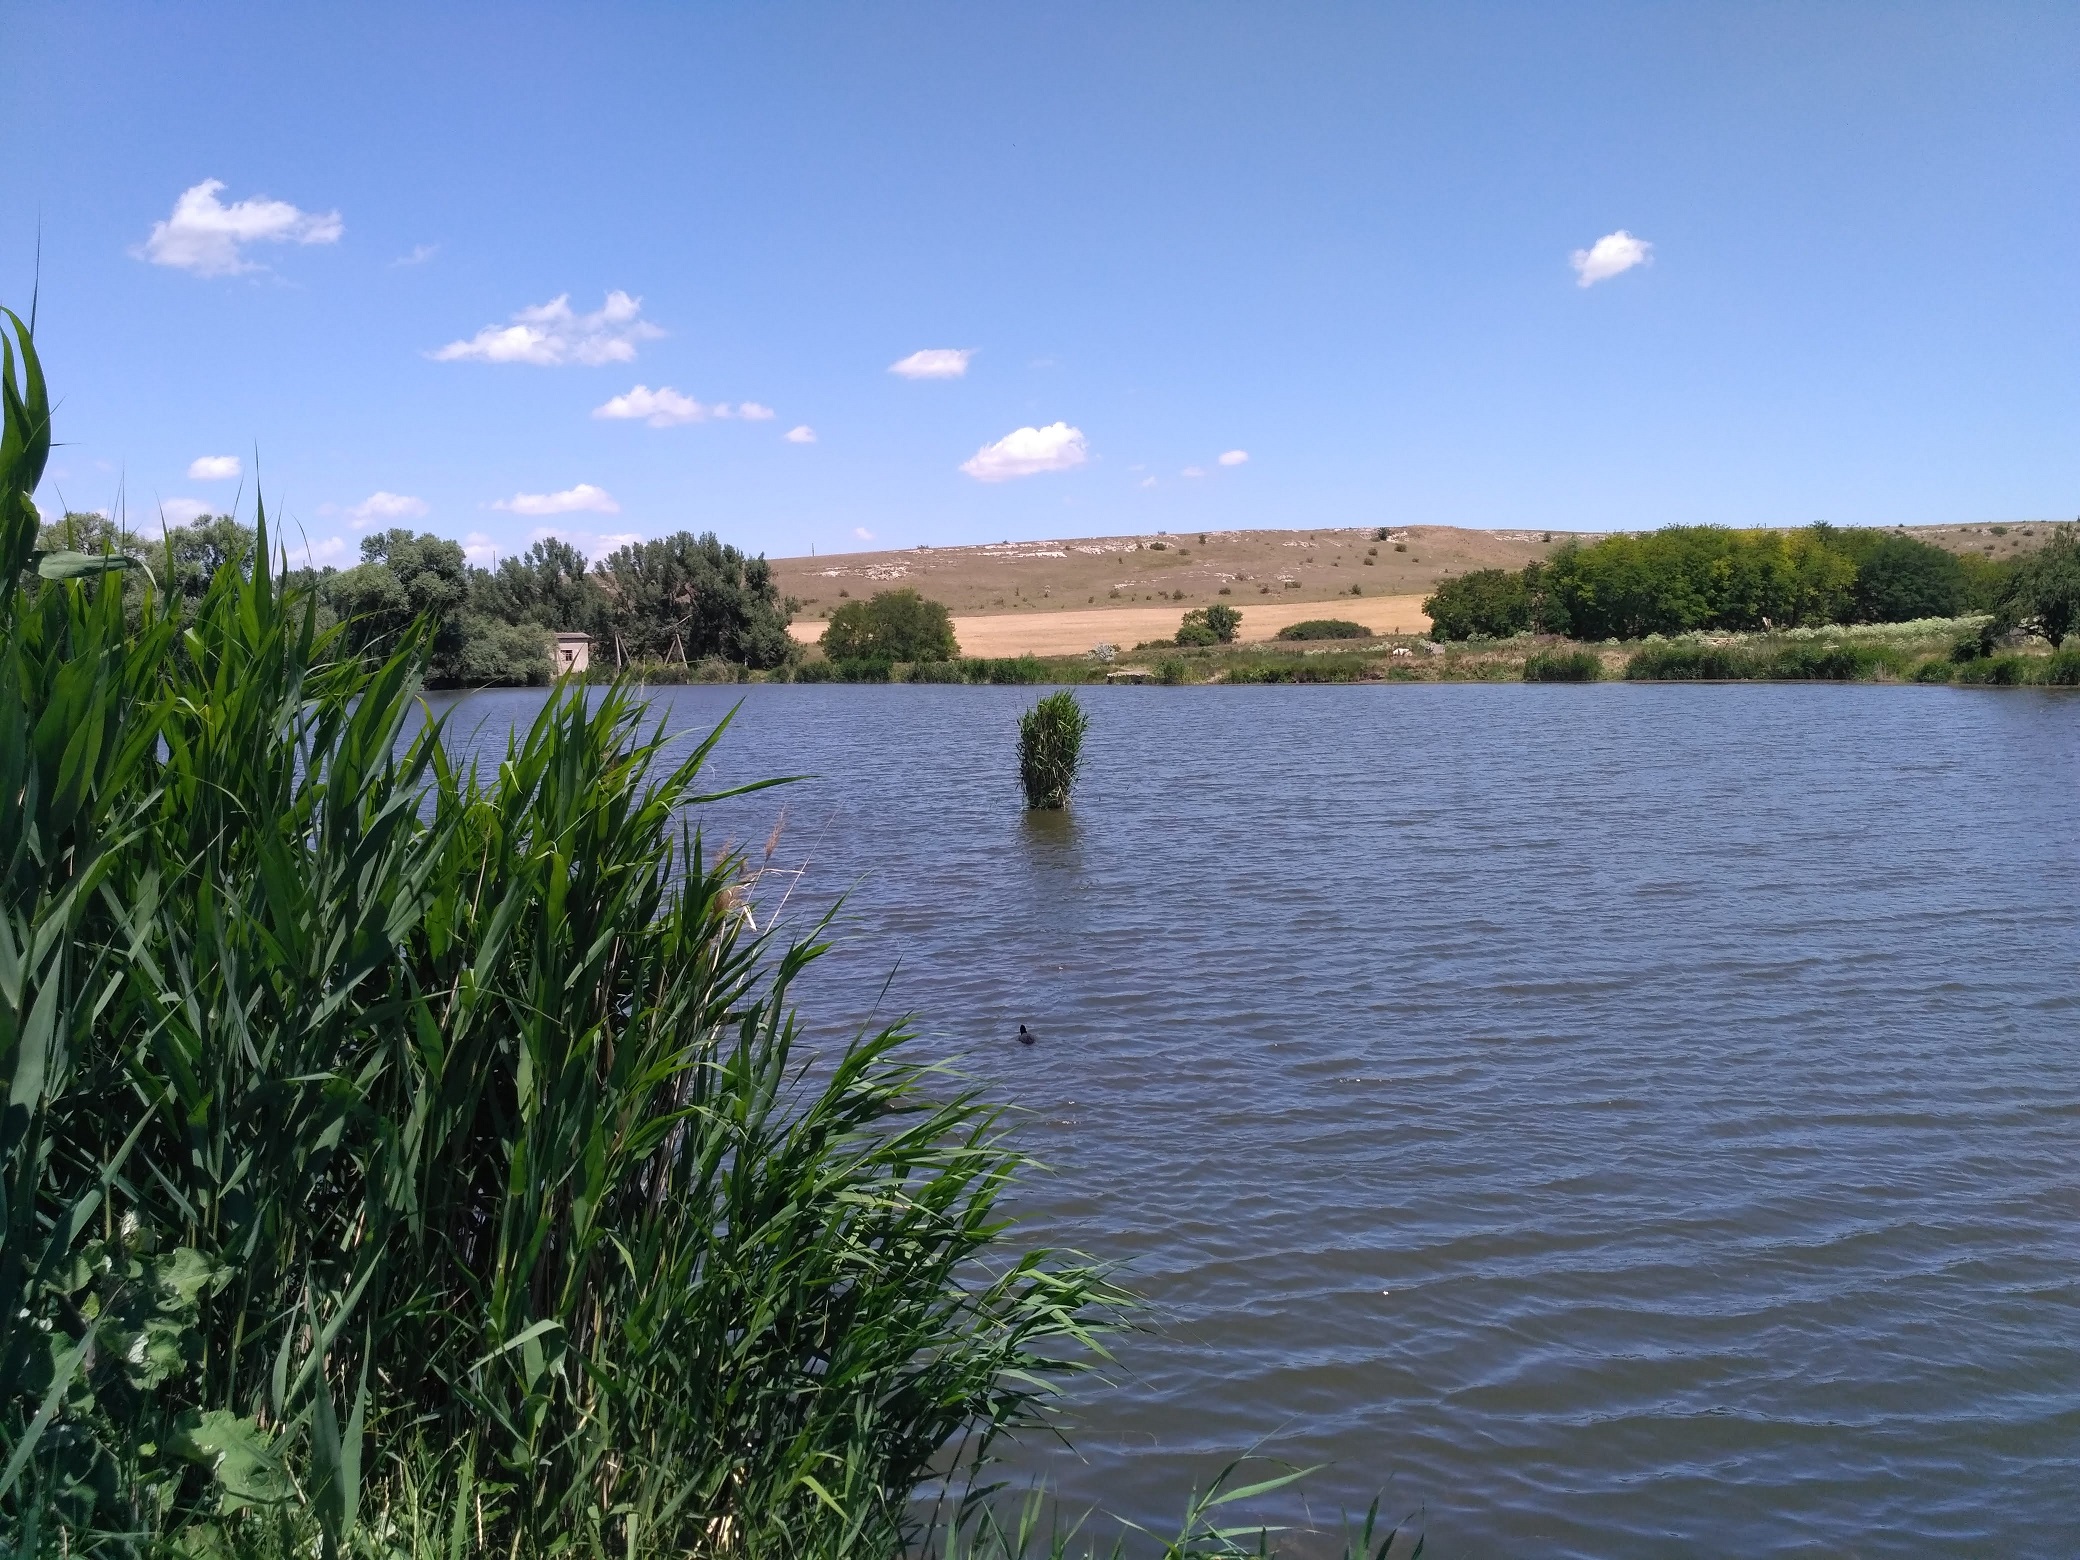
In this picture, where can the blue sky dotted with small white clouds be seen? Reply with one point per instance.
(1334, 240)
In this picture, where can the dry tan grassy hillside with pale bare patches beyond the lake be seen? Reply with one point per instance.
(1060, 598)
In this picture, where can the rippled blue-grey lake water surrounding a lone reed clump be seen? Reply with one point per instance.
(1619, 1122)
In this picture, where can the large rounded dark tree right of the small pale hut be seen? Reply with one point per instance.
(685, 598)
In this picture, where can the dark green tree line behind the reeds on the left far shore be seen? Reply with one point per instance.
(677, 600)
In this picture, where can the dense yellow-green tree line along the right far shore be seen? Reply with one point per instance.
(1688, 579)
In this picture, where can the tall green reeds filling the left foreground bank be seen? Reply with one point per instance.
(405, 1162)
